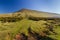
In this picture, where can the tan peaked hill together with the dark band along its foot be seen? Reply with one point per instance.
(29, 14)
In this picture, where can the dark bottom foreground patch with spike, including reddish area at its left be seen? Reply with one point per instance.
(33, 36)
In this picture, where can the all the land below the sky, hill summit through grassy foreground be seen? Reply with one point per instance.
(28, 24)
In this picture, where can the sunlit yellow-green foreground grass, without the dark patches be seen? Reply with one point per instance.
(22, 27)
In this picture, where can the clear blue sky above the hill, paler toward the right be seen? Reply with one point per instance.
(8, 6)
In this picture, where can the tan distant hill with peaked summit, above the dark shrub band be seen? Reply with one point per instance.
(33, 13)
